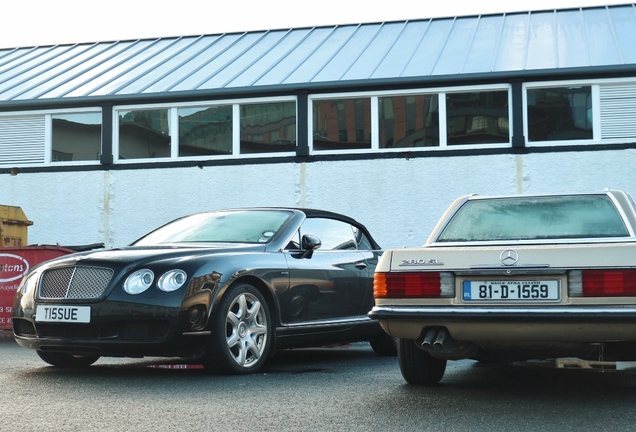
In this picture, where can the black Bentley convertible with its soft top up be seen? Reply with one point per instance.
(226, 287)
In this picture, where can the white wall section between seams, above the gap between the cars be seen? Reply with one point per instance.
(400, 200)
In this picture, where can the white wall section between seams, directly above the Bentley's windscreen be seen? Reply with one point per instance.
(144, 199)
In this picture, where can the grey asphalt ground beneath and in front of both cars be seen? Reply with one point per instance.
(346, 388)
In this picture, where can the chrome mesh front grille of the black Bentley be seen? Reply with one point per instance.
(75, 283)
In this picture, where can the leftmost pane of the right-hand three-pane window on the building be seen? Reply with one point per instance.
(342, 124)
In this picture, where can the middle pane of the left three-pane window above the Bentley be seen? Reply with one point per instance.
(205, 131)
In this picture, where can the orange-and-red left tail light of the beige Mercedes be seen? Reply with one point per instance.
(413, 285)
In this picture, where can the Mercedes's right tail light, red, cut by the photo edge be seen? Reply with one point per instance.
(603, 283)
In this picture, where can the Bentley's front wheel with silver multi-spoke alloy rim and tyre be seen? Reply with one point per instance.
(241, 333)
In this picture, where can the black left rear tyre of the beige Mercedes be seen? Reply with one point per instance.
(417, 366)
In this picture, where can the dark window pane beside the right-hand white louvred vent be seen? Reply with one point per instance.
(560, 113)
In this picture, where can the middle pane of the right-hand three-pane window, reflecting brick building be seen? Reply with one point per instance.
(409, 121)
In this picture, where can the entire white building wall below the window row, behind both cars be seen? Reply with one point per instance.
(399, 200)
